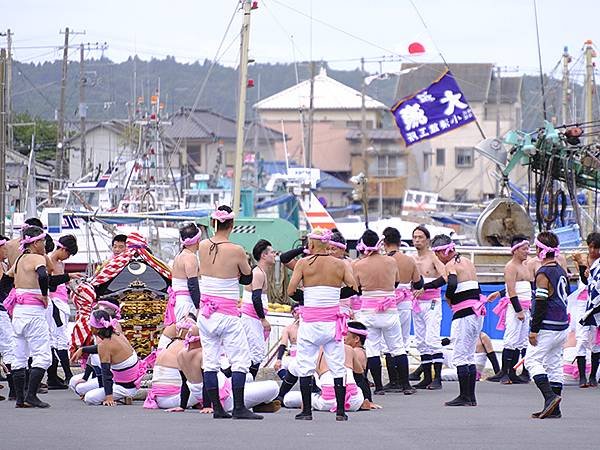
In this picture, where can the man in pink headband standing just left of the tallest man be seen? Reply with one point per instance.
(186, 288)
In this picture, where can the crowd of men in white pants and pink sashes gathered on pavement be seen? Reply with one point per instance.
(348, 316)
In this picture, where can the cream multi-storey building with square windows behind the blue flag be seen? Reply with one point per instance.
(449, 164)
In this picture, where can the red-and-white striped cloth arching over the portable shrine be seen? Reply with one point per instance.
(84, 296)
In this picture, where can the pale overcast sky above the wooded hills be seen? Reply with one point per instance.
(339, 31)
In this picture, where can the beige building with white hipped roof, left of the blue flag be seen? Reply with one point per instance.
(337, 108)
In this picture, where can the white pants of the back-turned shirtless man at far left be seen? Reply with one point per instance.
(32, 337)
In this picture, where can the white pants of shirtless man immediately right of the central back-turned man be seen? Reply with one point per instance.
(384, 326)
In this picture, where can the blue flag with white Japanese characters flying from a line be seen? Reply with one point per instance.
(440, 108)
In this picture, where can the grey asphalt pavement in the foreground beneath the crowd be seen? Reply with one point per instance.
(500, 421)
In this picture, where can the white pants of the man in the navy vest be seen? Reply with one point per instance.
(546, 356)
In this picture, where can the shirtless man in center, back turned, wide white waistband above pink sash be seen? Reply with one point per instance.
(322, 322)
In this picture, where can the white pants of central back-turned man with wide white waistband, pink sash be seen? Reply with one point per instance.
(311, 337)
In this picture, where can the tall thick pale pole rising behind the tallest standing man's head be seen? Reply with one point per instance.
(241, 114)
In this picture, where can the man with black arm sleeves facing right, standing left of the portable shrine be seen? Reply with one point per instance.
(58, 312)
